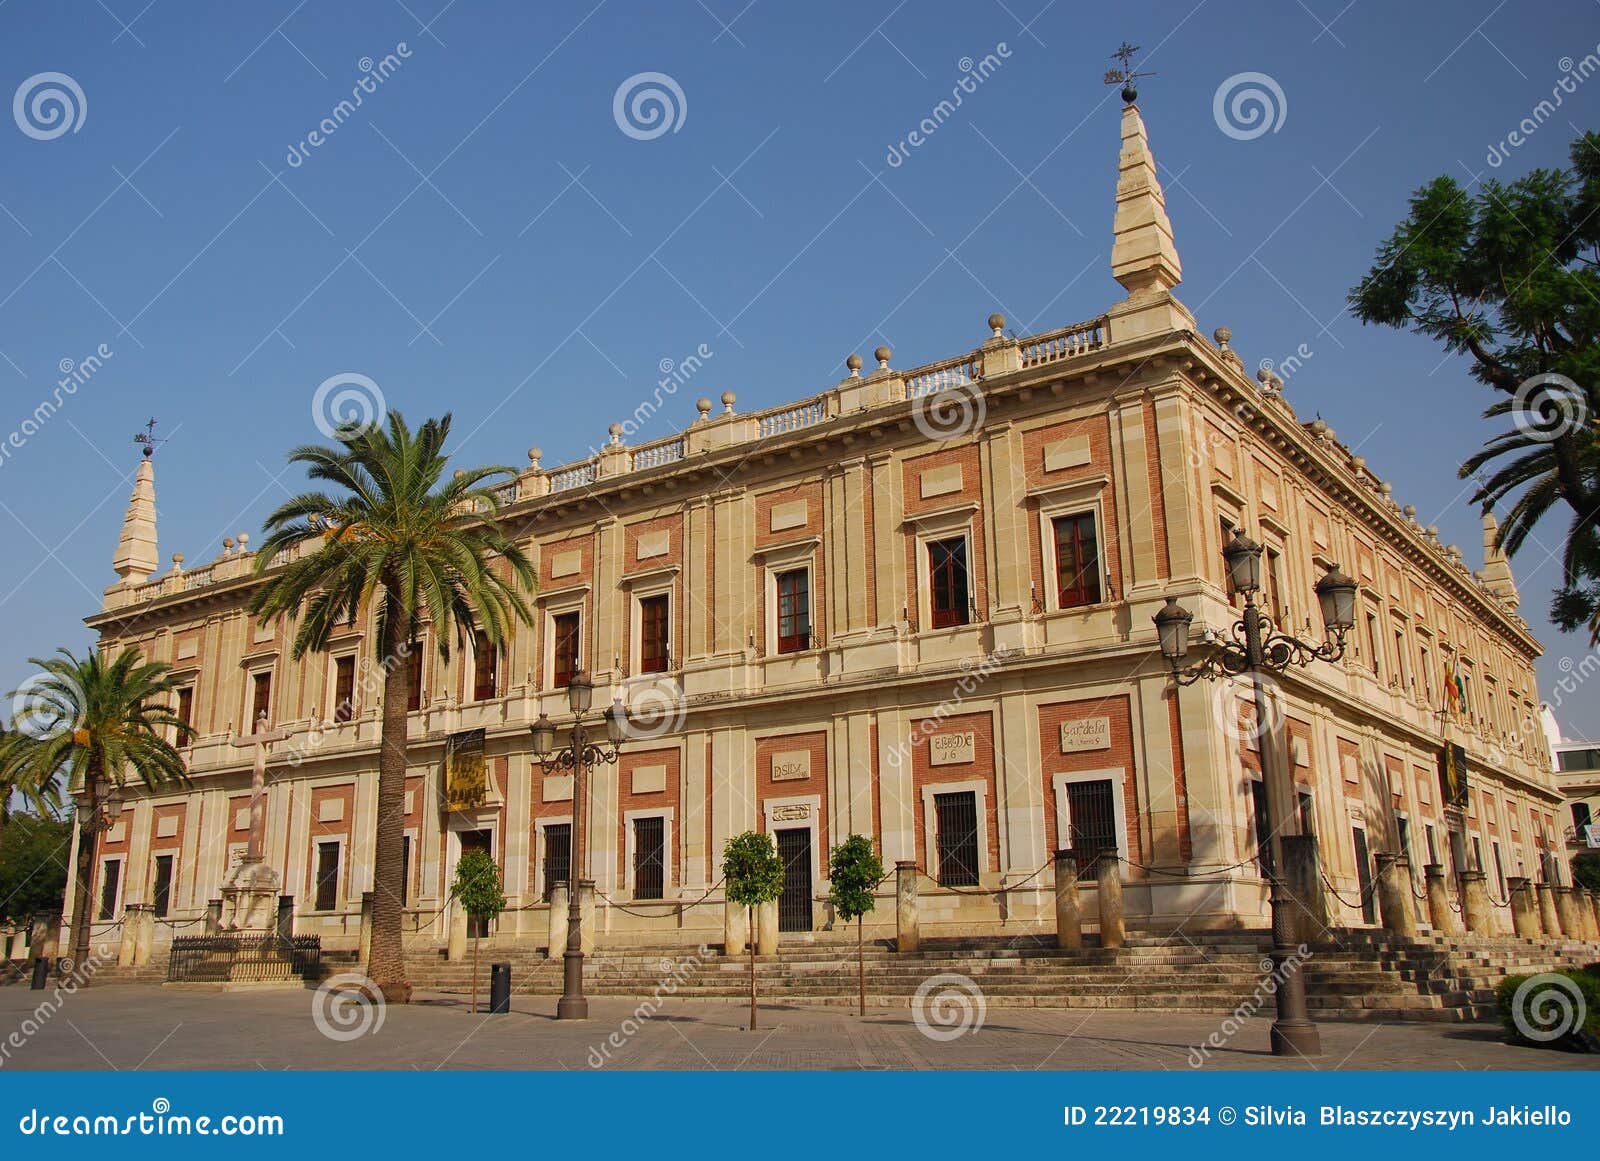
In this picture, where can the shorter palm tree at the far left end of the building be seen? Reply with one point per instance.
(97, 724)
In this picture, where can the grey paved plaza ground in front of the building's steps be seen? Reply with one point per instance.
(154, 1029)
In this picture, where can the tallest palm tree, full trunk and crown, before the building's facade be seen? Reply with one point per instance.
(398, 540)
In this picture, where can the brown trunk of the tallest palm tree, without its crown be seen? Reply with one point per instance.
(388, 956)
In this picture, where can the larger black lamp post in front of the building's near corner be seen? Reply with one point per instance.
(1258, 648)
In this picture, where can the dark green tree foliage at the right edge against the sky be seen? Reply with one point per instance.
(1511, 279)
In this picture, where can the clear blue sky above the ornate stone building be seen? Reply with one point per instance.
(481, 236)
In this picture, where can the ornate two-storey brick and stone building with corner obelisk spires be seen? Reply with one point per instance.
(914, 607)
